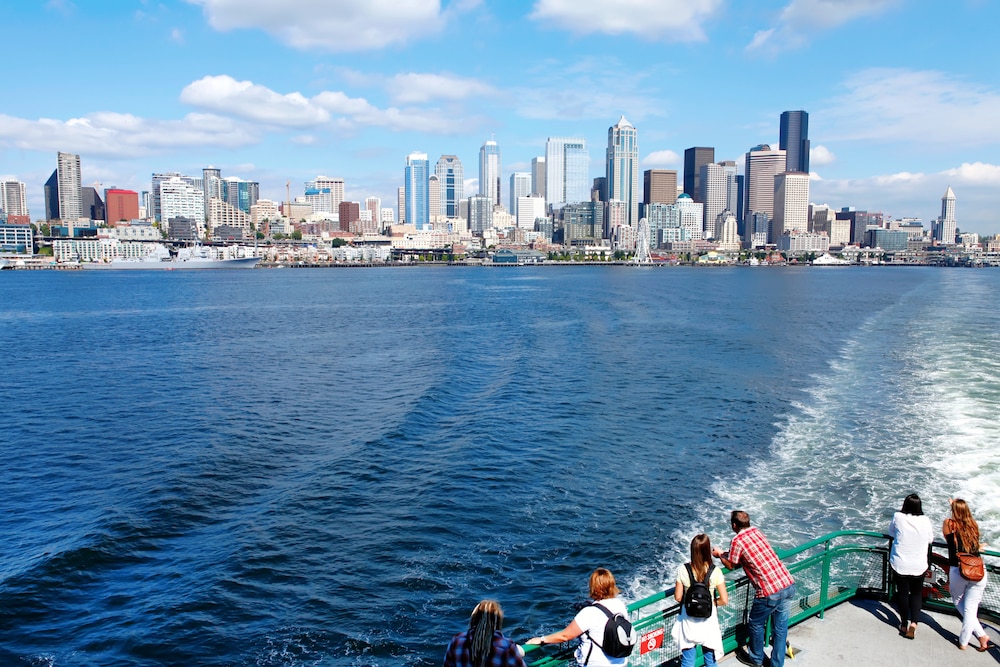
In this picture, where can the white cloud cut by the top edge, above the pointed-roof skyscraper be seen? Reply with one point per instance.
(674, 20)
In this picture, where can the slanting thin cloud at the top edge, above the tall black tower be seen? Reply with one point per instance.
(802, 18)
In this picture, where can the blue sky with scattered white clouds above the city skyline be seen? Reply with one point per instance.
(903, 95)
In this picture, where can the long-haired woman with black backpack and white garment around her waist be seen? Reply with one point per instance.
(690, 631)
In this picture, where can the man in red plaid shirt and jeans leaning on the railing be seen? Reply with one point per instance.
(773, 583)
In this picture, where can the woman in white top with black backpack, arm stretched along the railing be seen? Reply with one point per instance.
(590, 622)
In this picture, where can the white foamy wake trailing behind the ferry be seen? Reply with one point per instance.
(910, 405)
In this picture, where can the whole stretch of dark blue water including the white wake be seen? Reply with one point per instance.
(317, 467)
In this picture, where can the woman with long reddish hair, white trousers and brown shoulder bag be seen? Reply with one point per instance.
(962, 534)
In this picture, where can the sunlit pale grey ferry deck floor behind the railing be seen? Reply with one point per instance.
(866, 632)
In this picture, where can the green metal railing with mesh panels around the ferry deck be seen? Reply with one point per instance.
(828, 571)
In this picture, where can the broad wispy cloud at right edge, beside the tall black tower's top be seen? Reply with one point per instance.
(921, 107)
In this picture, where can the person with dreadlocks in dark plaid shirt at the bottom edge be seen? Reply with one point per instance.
(483, 645)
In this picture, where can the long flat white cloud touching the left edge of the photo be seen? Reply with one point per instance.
(122, 135)
